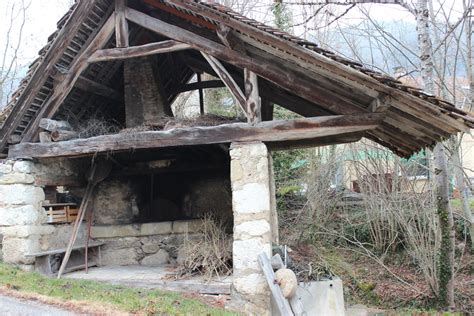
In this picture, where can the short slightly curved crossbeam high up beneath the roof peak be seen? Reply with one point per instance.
(113, 54)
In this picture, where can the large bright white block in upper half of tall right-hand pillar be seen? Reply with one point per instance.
(252, 198)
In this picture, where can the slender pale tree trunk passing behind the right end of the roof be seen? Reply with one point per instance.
(445, 215)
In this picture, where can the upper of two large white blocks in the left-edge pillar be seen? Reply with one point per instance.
(21, 194)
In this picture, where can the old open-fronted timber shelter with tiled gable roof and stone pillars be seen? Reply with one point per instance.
(127, 62)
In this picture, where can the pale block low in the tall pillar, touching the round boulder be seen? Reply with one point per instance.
(245, 254)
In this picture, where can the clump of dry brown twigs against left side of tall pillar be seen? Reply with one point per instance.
(210, 254)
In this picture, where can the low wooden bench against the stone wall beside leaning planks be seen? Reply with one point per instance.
(48, 262)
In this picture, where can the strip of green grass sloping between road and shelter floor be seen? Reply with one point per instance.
(136, 301)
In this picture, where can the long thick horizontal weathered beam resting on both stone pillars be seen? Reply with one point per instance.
(282, 132)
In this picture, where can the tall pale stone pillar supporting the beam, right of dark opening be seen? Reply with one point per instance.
(253, 224)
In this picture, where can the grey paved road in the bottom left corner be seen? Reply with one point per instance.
(10, 306)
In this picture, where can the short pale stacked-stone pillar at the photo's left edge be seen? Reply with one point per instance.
(21, 214)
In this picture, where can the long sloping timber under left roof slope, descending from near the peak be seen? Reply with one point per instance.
(62, 89)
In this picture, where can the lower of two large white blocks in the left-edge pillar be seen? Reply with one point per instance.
(21, 215)
